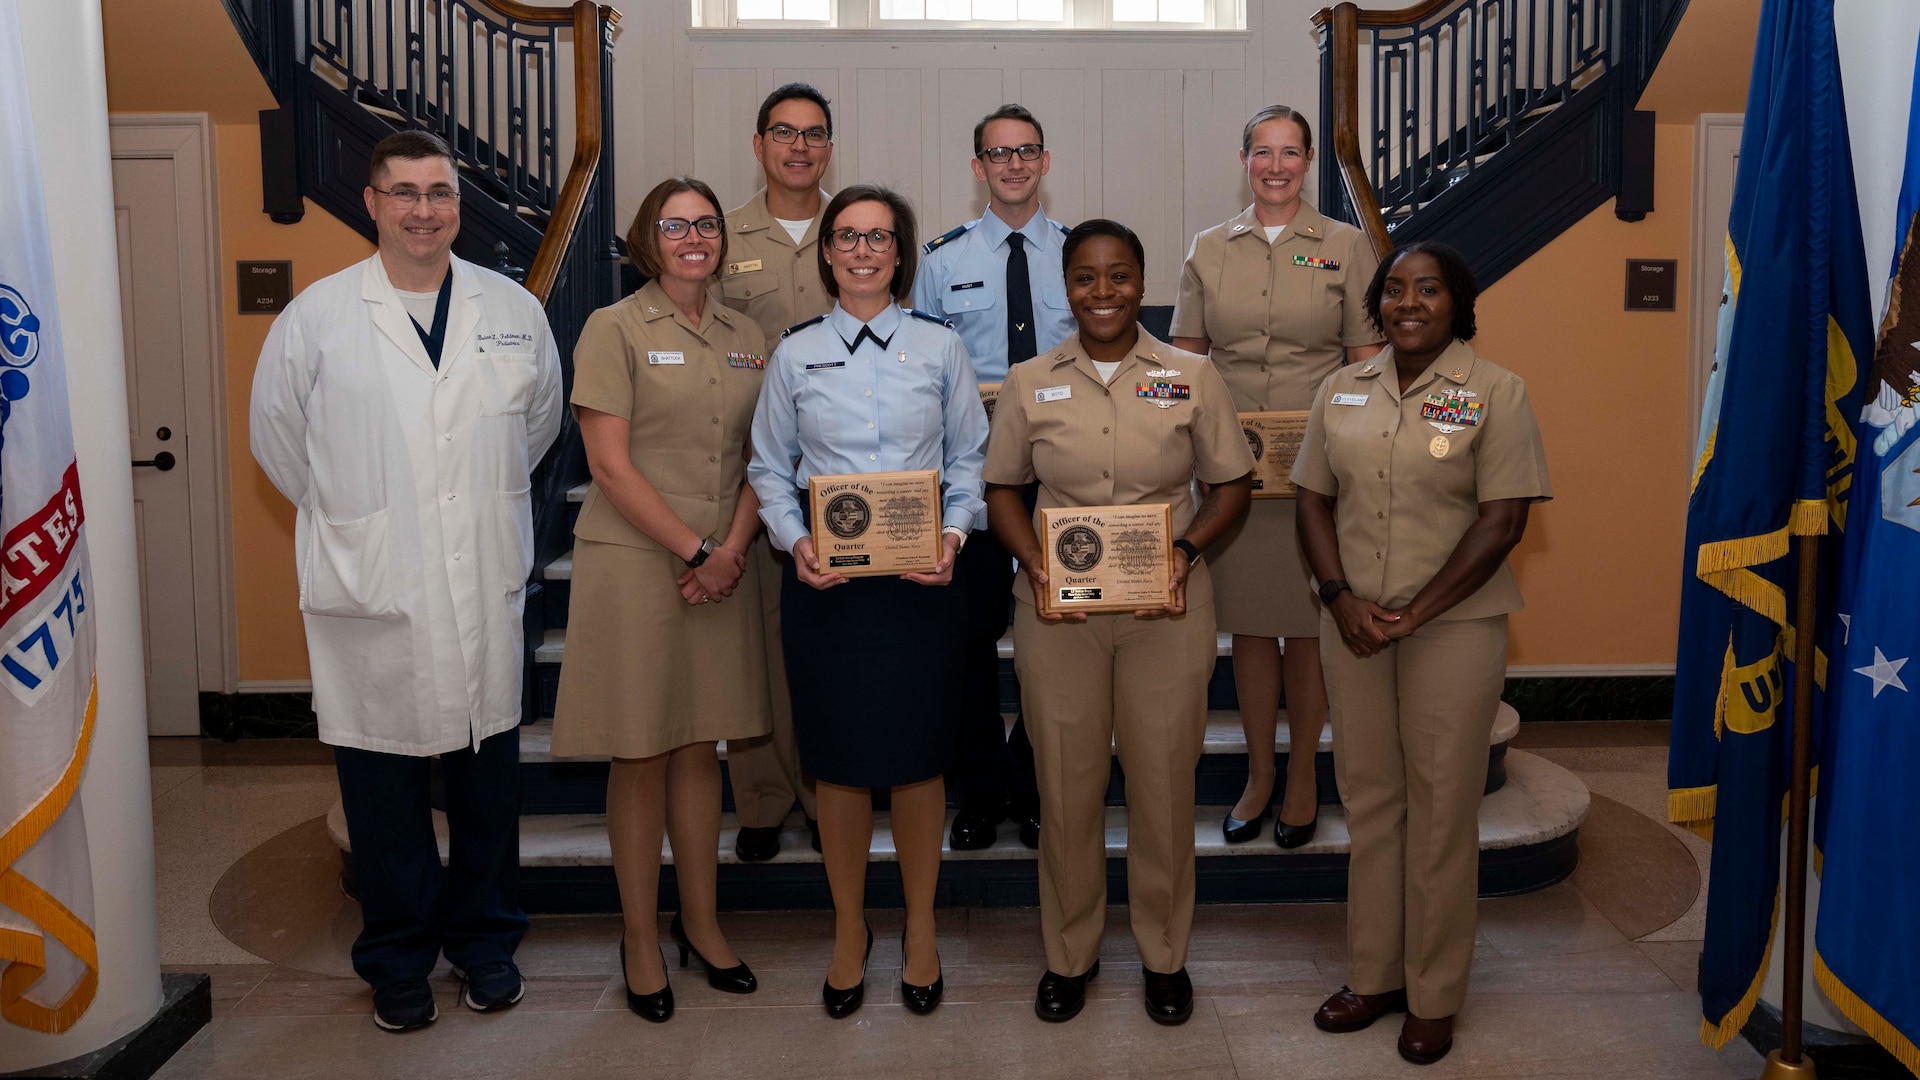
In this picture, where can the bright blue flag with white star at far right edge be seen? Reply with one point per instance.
(1867, 941)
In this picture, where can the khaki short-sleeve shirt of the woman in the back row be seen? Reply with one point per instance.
(1280, 316)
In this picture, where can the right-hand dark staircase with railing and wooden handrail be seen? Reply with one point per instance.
(1491, 126)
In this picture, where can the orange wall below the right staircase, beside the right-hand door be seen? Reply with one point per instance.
(1602, 562)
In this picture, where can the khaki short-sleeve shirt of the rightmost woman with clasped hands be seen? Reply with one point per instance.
(1412, 470)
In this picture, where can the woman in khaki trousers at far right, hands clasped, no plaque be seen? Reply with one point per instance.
(1408, 537)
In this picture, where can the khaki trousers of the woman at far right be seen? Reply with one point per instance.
(1410, 731)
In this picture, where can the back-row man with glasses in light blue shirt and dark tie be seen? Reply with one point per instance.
(999, 282)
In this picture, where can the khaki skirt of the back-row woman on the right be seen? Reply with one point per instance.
(1260, 579)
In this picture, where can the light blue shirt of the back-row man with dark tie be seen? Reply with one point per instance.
(963, 280)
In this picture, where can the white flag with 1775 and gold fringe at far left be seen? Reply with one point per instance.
(49, 966)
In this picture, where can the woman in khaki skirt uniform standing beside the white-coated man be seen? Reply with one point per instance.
(660, 662)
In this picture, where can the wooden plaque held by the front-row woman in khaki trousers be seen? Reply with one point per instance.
(1107, 558)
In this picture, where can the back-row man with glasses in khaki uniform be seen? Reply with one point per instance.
(773, 276)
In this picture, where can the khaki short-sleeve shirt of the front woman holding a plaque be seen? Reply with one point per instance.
(1093, 443)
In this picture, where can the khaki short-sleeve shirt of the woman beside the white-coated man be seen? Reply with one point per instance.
(688, 395)
